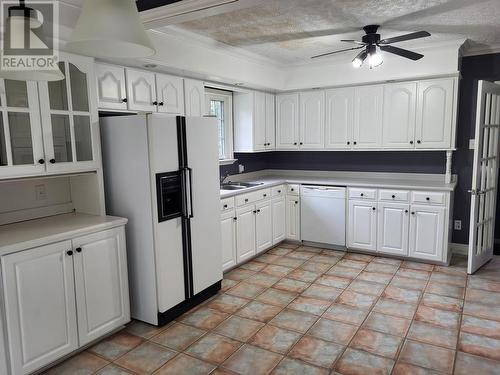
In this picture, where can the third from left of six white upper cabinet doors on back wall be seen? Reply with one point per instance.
(339, 118)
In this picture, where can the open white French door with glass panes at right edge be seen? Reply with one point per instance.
(484, 176)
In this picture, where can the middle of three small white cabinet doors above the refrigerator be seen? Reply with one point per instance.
(141, 91)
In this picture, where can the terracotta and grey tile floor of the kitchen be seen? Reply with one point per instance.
(302, 310)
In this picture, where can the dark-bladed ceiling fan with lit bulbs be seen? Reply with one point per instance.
(372, 44)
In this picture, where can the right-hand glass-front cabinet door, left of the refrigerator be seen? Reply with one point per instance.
(69, 118)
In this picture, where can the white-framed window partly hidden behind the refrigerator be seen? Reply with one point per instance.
(220, 105)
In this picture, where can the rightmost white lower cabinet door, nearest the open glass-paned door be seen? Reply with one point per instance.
(427, 232)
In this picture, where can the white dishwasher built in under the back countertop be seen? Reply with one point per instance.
(323, 214)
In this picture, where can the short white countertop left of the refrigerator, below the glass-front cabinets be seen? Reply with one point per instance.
(38, 232)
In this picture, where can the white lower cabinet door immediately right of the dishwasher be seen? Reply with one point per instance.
(362, 229)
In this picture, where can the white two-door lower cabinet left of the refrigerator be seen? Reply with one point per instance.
(61, 296)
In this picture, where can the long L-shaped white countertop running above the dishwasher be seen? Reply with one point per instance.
(350, 179)
